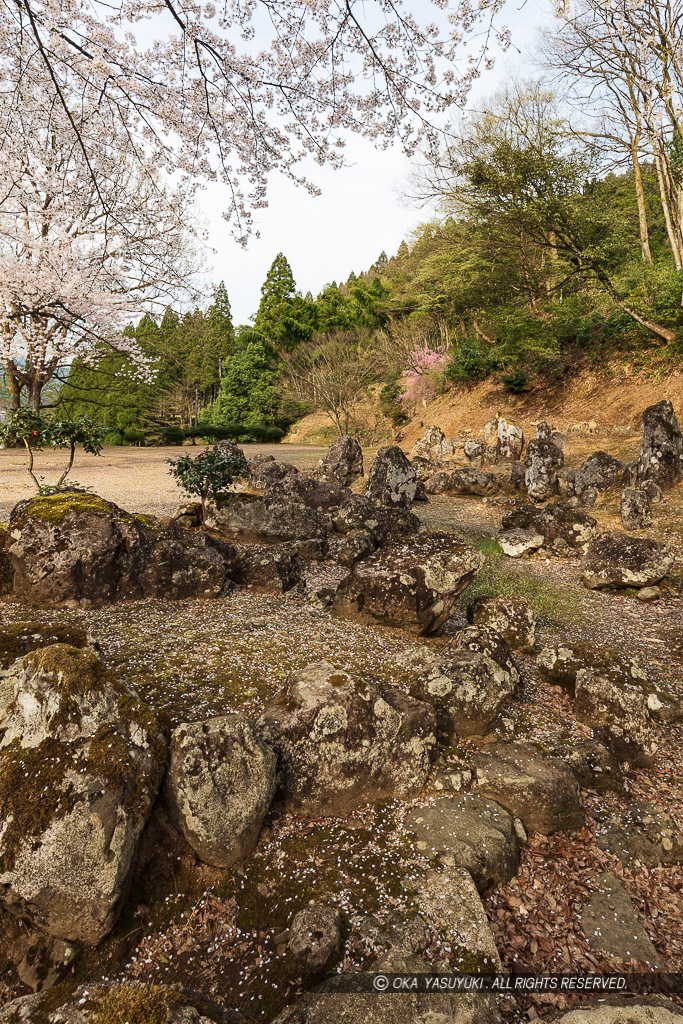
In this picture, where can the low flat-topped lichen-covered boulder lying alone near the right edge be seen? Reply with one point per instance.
(615, 560)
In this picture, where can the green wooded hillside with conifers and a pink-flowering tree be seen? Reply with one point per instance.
(545, 258)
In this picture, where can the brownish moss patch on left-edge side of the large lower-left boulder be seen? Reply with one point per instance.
(32, 793)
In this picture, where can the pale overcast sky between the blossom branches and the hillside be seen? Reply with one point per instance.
(360, 214)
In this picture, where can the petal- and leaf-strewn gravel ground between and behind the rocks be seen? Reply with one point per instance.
(217, 931)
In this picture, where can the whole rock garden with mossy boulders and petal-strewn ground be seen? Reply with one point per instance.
(398, 713)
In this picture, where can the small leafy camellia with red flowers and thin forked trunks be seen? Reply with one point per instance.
(35, 433)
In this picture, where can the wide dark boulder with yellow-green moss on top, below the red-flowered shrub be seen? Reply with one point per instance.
(74, 547)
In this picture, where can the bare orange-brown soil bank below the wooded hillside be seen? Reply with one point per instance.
(614, 398)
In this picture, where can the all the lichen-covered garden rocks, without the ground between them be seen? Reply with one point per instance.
(83, 761)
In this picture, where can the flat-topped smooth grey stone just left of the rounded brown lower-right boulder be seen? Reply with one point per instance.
(469, 832)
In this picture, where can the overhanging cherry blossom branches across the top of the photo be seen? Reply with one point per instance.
(247, 88)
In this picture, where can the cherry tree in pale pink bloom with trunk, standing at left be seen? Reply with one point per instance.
(86, 246)
